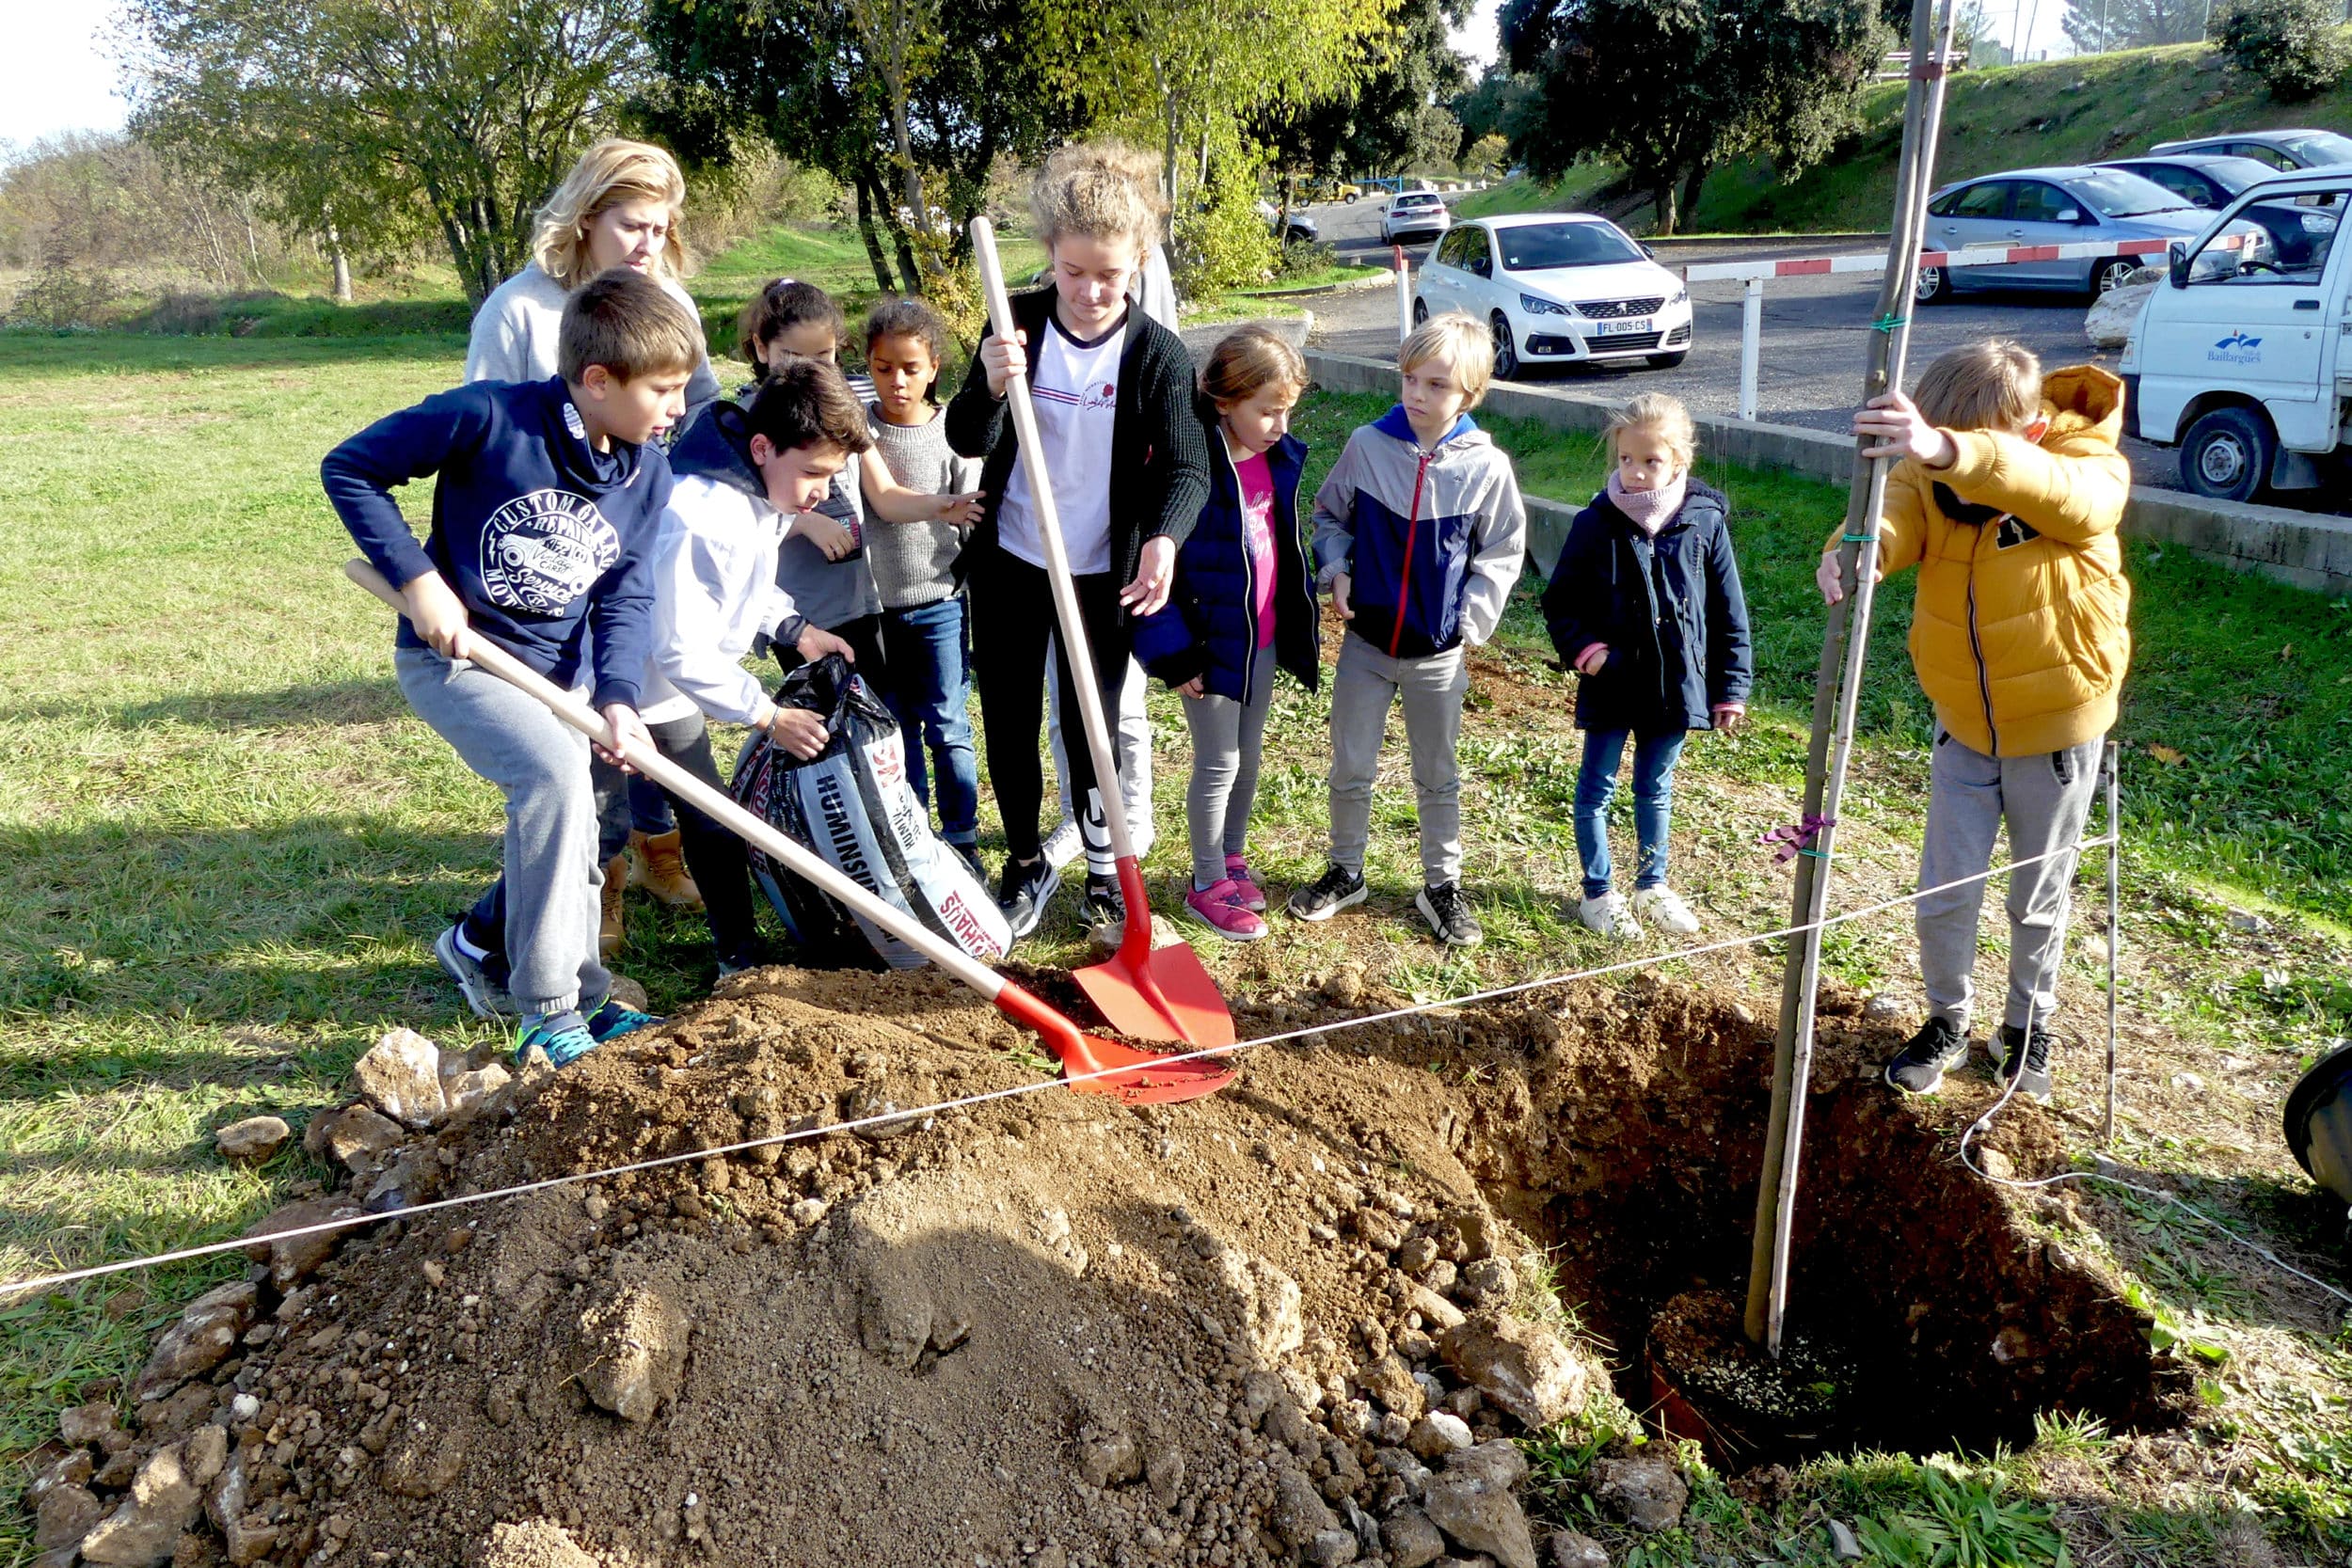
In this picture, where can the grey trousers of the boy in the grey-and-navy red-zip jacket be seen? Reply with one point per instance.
(1431, 690)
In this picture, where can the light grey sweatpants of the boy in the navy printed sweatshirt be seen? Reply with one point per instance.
(554, 880)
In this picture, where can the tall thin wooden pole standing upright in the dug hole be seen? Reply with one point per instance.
(1840, 685)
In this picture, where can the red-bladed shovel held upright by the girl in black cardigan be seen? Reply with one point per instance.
(1147, 993)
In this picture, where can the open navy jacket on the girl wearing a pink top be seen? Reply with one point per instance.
(1208, 626)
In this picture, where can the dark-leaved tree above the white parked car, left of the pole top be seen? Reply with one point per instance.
(1690, 83)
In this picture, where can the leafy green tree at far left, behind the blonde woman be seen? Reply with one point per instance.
(361, 109)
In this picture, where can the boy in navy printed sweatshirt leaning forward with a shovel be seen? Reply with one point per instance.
(547, 504)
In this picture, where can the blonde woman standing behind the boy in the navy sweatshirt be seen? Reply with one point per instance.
(620, 208)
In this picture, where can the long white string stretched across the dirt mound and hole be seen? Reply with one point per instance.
(211, 1249)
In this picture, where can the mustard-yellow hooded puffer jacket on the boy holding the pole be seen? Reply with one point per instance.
(2022, 636)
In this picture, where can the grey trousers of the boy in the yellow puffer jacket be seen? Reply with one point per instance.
(2045, 800)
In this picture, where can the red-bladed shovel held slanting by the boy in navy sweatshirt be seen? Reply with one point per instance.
(1097, 1066)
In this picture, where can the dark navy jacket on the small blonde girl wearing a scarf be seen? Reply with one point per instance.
(1669, 608)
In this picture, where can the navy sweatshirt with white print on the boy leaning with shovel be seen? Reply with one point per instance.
(537, 532)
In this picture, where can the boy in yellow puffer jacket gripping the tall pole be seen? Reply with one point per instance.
(2007, 500)
